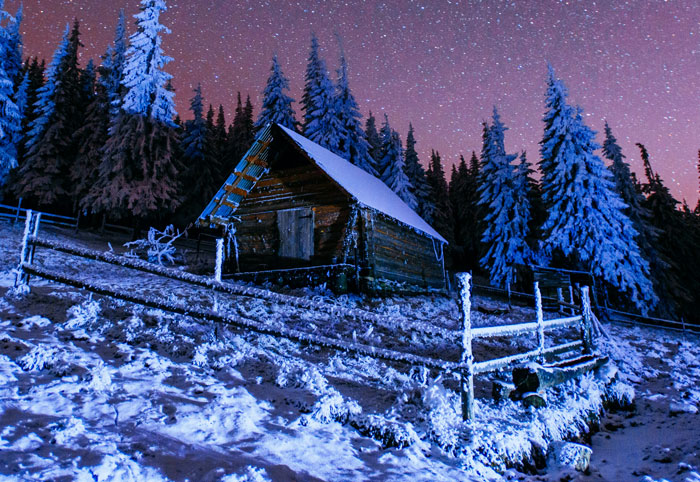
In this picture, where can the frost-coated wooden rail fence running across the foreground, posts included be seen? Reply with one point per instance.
(466, 366)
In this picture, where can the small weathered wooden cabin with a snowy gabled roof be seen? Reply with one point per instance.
(301, 214)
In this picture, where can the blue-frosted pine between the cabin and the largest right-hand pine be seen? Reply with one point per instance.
(503, 197)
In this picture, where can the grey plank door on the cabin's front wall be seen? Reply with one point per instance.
(296, 231)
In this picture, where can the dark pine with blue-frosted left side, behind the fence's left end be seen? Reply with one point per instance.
(44, 176)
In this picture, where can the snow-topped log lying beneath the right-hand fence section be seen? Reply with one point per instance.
(533, 376)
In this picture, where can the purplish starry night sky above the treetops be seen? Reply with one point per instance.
(440, 64)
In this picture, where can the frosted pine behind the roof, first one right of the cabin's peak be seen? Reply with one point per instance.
(321, 122)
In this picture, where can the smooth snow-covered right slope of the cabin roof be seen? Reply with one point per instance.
(364, 187)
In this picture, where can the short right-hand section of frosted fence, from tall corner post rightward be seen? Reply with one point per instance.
(470, 368)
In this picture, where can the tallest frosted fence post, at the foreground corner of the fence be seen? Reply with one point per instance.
(467, 357)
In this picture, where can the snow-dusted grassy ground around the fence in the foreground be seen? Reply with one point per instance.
(96, 389)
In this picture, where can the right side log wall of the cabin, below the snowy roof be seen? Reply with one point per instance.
(399, 253)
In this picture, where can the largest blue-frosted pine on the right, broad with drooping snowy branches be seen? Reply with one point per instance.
(585, 222)
